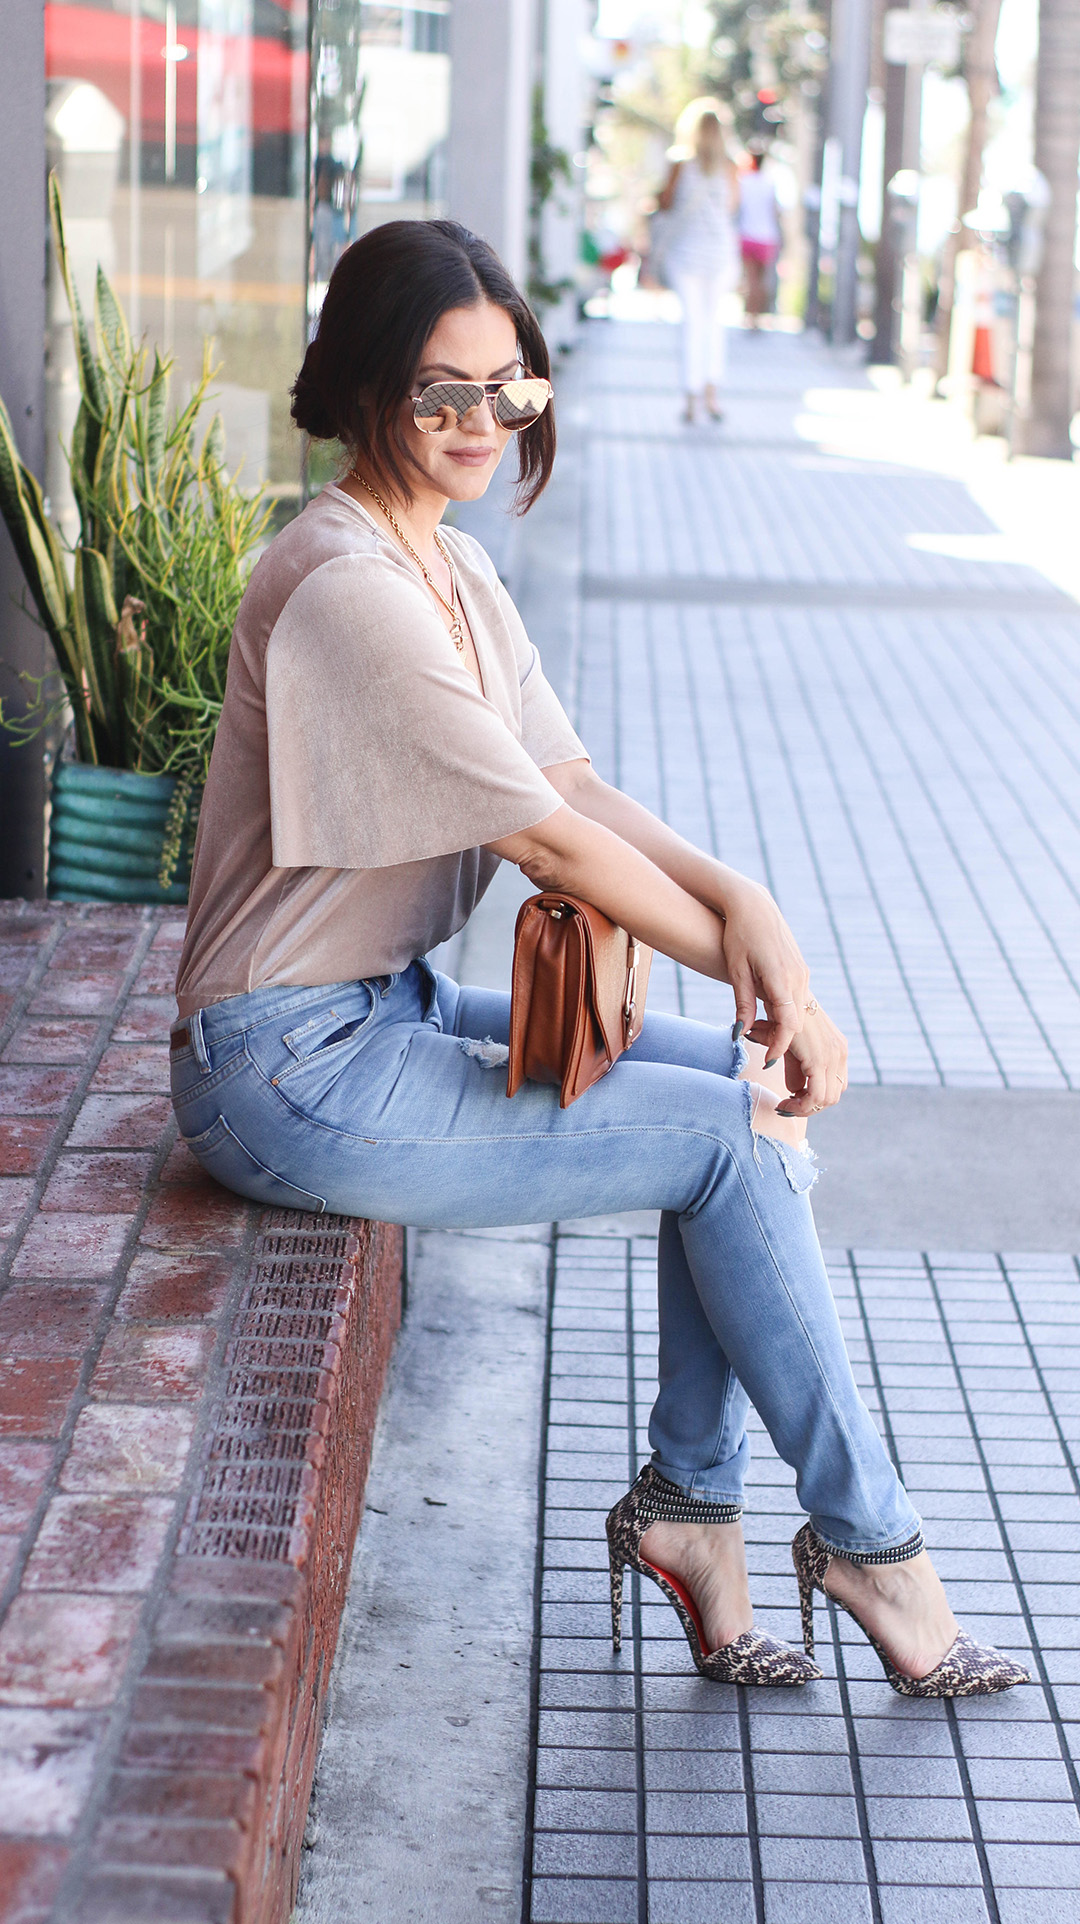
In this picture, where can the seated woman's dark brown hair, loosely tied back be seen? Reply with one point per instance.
(384, 299)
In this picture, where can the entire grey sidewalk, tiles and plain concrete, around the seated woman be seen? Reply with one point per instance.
(765, 651)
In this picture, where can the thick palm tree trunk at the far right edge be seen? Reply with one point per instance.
(1058, 153)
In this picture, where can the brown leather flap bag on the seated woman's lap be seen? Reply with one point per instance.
(577, 996)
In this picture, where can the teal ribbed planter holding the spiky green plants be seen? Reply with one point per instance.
(107, 836)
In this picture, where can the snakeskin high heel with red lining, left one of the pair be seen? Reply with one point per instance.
(752, 1658)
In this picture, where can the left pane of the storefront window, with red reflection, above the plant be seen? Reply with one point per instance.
(180, 136)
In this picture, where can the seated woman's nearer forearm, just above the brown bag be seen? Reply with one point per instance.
(584, 857)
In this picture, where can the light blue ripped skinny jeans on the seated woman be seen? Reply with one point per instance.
(388, 1100)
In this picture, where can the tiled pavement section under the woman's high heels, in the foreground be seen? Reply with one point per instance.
(667, 1800)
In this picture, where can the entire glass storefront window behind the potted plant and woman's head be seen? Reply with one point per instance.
(217, 157)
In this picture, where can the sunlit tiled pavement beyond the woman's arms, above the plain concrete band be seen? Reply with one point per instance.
(887, 736)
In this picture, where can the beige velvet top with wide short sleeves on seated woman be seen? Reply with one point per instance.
(359, 769)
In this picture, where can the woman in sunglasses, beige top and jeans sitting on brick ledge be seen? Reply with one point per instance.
(388, 740)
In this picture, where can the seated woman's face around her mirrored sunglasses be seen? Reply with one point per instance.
(469, 345)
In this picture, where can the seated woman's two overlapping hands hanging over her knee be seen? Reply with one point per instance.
(763, 963)
